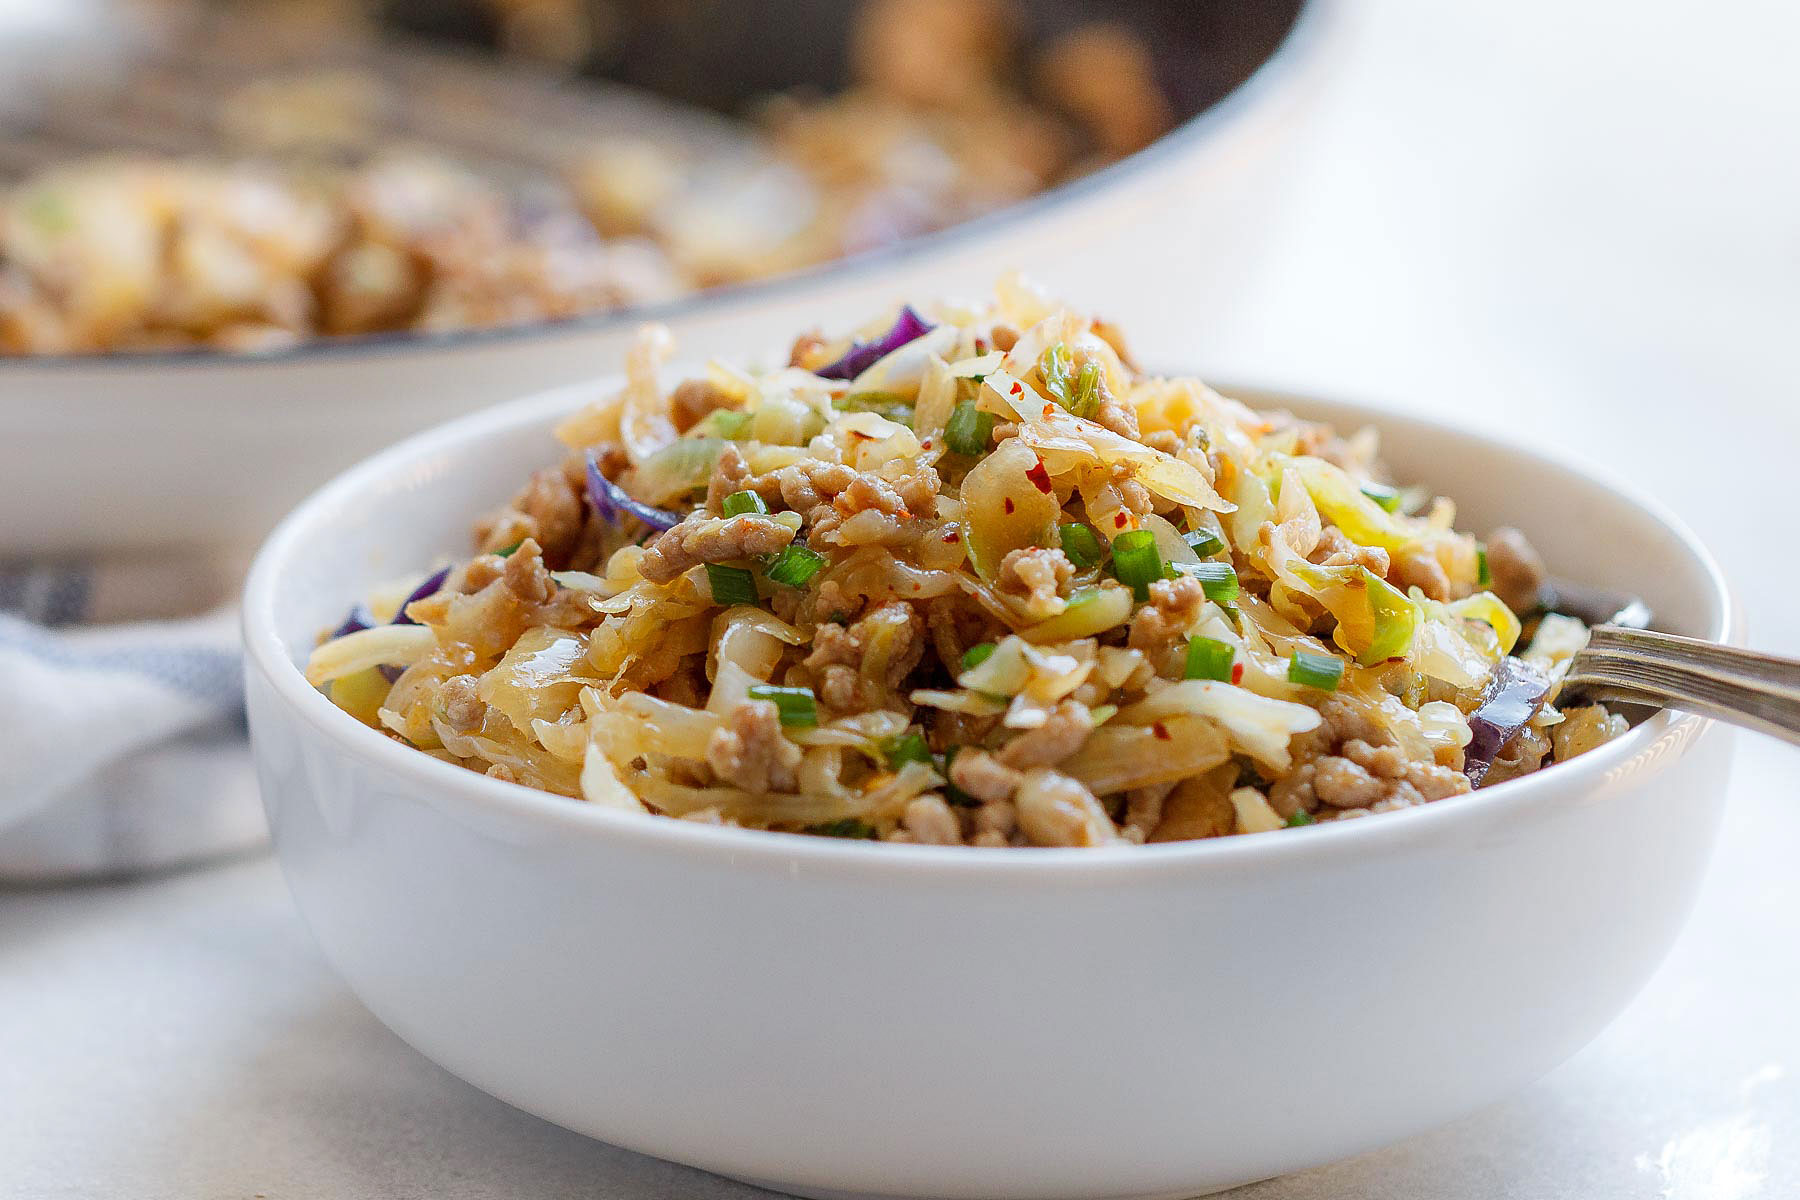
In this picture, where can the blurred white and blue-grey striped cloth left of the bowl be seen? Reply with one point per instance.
(123, 722)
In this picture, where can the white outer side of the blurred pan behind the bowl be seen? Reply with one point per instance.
(210, 451)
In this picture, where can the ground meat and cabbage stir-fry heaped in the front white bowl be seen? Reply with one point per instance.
(969, 578)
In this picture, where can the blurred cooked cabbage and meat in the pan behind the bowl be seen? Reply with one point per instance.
(940, 125)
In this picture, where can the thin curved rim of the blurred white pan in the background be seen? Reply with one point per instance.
(1300, 46)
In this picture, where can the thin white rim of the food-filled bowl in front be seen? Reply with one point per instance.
(1646, 746)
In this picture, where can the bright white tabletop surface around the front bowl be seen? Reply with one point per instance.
(1572, 217)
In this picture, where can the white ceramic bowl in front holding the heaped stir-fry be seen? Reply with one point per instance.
(910, 1021)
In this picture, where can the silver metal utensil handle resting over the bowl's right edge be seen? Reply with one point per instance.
(1738, 686)
